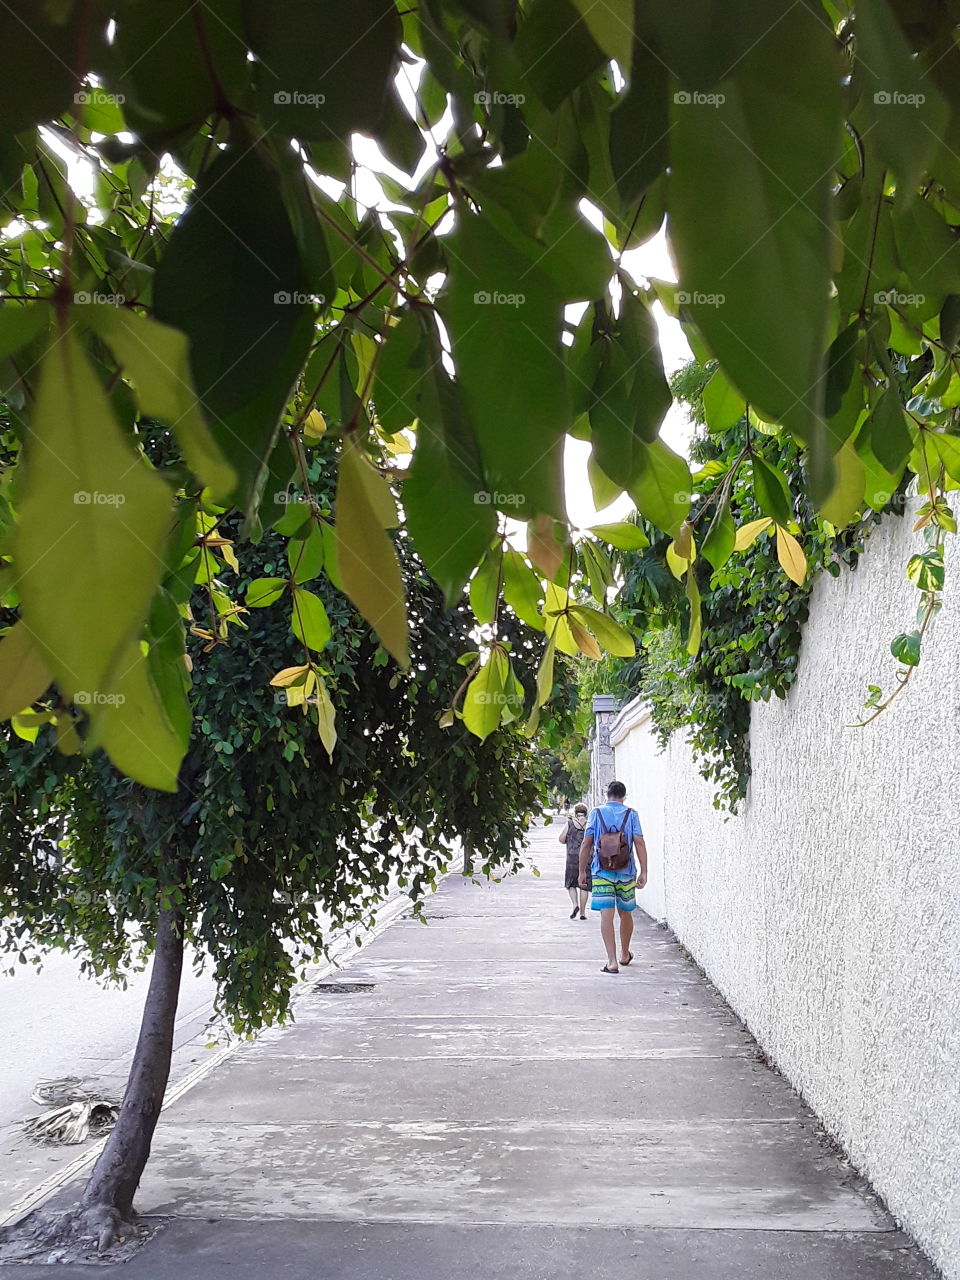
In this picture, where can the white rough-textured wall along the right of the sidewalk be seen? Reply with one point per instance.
(829, 911)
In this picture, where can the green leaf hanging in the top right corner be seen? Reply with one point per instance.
(906, 115)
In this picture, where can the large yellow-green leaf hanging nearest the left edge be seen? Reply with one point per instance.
(94, 527)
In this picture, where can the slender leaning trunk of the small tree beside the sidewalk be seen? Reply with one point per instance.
(108, 1197)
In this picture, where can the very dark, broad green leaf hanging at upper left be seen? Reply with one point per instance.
(234, 282)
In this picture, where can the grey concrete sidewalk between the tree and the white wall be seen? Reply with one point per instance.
(477, 1099)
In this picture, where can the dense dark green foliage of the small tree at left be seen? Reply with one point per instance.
(272, 844)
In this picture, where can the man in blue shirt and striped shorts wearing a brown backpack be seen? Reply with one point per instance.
(614, 889)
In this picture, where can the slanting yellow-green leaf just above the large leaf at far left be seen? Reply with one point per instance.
(158, 360)
